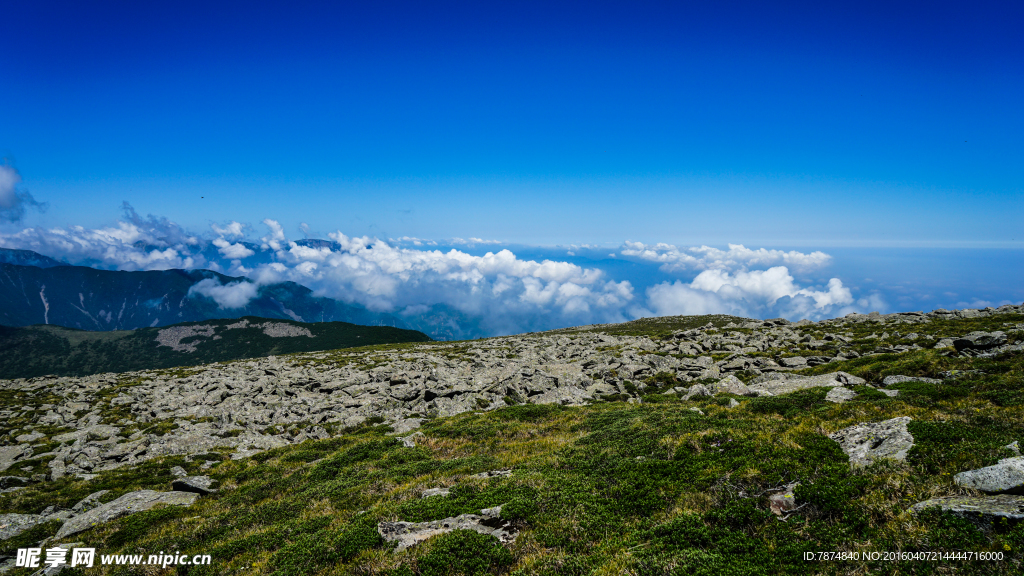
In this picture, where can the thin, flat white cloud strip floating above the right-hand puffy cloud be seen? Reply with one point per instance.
(739, 257)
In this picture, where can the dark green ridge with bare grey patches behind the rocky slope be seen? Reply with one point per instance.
(37, 351)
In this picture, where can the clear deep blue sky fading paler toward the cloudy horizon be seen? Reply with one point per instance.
(796, 127)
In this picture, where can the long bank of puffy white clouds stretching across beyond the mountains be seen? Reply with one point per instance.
(503, 293)
